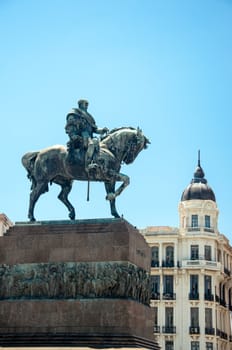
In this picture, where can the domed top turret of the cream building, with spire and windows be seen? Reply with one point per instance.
(198, 209)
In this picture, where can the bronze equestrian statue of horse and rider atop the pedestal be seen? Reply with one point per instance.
(86, 157)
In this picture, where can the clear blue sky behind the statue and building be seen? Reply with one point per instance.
(165, 66)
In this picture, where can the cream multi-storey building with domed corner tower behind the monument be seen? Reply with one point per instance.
(191, 283)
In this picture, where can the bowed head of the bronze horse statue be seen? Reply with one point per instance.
(135, 144)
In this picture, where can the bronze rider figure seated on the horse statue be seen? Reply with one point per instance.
(80, 126)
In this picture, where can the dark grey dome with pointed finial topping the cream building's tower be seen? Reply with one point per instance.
(198, 188)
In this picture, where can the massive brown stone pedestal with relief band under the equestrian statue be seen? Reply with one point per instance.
(79, 283)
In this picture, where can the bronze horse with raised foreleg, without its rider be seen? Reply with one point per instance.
(56, 165)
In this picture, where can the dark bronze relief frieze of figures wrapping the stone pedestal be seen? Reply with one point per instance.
(71, 280)
